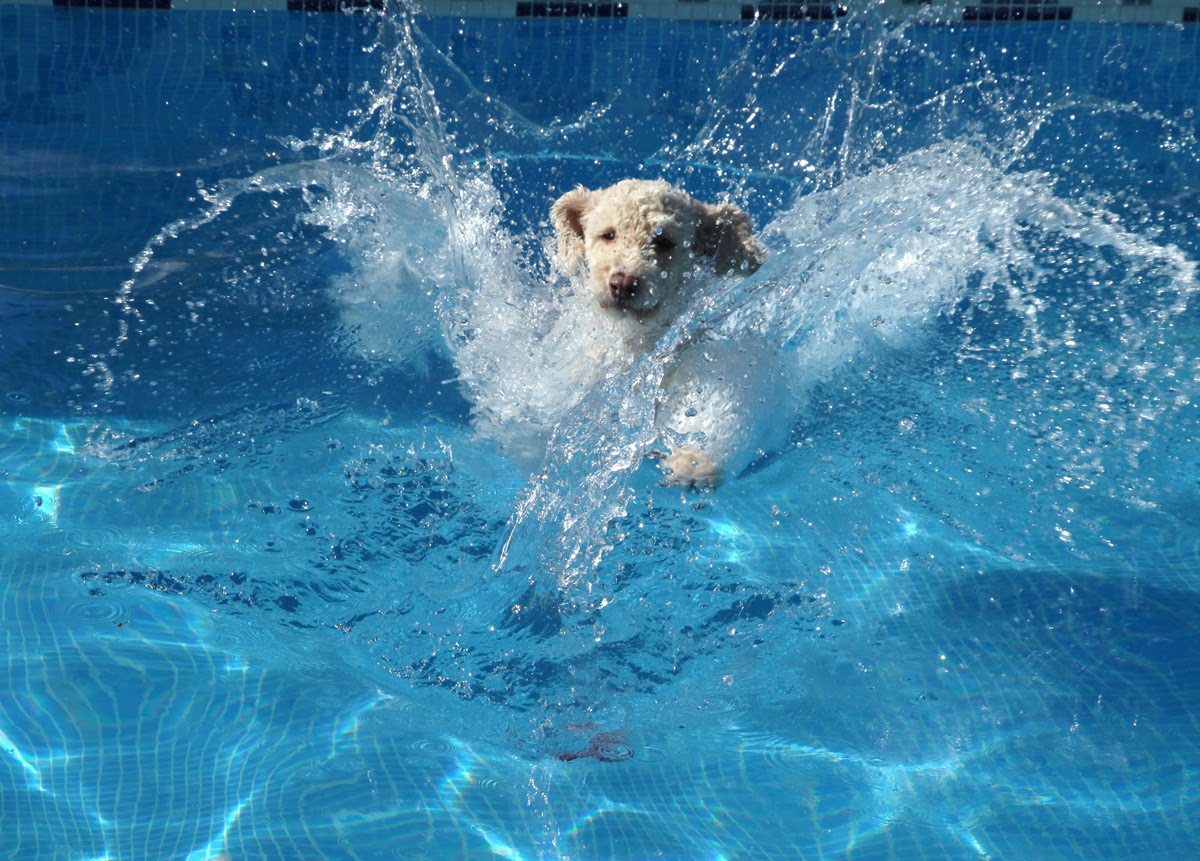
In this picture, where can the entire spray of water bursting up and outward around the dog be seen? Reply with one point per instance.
(929, 250)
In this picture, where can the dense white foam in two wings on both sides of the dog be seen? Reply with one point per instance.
(854, 270)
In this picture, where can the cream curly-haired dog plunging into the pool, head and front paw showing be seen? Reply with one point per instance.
(644, 244)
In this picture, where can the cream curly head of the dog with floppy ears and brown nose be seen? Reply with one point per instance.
(641, 240)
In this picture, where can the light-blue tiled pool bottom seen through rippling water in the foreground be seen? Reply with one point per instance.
(167, 702)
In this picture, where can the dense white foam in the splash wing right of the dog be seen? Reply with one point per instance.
(875, 260)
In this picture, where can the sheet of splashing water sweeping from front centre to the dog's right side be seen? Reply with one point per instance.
(861, 274)
